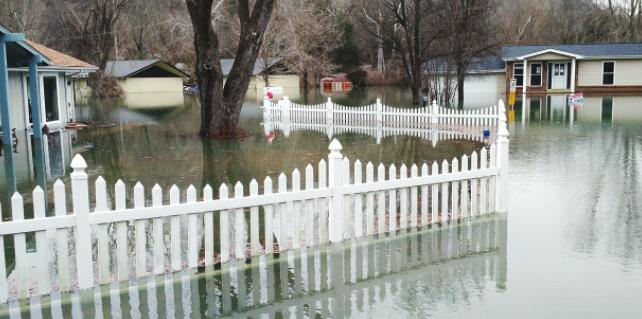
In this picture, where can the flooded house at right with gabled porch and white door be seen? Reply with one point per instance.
(586, 68)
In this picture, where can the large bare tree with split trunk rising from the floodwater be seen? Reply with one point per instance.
(221, 102)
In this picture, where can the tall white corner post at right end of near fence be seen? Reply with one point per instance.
(501, 192)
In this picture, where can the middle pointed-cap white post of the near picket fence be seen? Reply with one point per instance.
(335, 165)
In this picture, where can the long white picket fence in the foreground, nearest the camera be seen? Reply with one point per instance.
(113, 242)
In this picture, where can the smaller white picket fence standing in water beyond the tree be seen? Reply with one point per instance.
(379, 114)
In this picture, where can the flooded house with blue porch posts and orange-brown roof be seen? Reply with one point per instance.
(49, 100)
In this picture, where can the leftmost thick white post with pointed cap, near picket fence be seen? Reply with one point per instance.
(80, 203)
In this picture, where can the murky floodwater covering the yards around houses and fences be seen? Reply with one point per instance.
(569, 247)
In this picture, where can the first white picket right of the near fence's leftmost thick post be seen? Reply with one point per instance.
(102, 237)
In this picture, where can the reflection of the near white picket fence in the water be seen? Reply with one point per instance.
(339, 280)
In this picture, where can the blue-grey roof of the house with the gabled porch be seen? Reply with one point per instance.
(585, 50)
